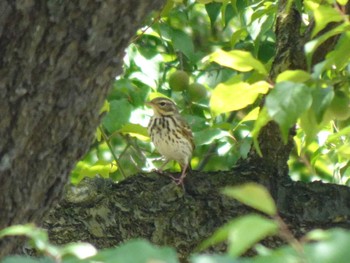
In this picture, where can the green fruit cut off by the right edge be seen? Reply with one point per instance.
(339, 108)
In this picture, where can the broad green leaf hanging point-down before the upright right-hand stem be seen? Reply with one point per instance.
(286, 102)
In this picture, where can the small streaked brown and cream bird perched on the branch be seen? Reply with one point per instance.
(171, 134)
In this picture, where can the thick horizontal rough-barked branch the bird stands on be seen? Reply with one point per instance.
(153, 207)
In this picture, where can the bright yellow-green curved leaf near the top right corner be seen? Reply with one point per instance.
(323, 16)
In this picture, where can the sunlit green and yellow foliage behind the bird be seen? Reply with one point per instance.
(227, 47)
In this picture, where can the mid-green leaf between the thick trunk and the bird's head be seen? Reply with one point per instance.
(118, 115)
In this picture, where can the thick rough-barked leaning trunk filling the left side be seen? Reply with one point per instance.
(57, 61)
